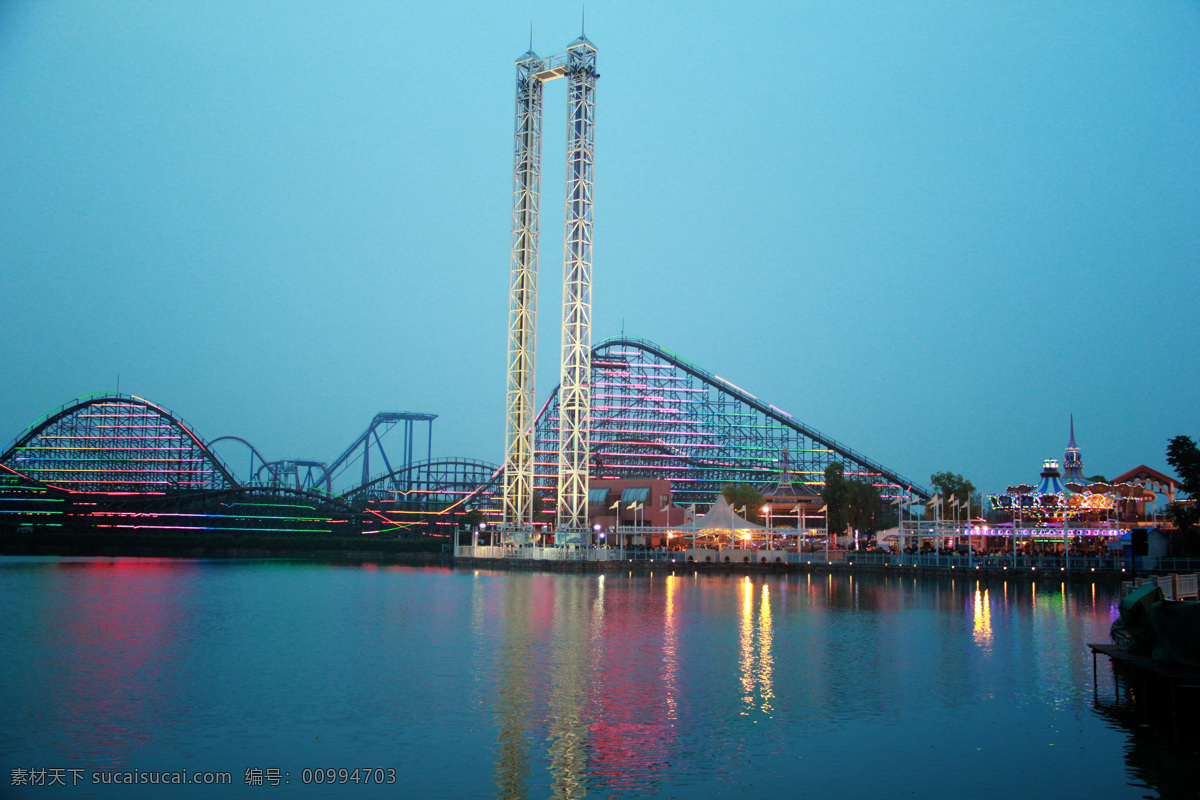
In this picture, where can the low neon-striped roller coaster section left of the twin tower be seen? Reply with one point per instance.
(118, 464)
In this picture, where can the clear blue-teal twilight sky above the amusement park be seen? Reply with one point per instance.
(931, 231)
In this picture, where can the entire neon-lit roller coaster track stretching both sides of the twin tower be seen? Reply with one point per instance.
(122, 464)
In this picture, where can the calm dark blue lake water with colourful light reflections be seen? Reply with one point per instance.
(472, 684)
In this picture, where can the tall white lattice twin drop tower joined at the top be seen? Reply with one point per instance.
(579, 67)
